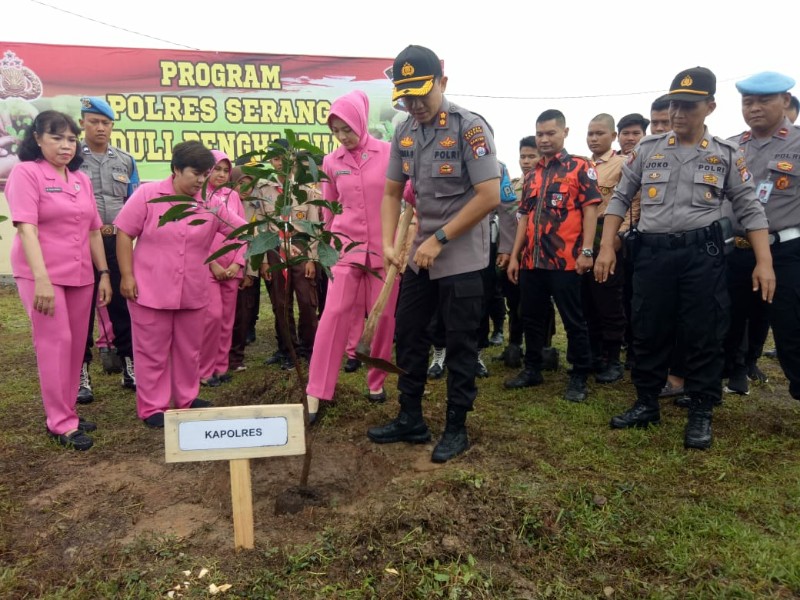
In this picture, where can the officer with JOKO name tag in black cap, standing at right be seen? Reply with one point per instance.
(679, 269)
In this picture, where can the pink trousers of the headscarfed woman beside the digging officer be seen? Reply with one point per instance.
(349, 287)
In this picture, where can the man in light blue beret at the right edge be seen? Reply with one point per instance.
(772, 149)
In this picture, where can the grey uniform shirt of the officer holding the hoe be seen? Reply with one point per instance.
(455, 152)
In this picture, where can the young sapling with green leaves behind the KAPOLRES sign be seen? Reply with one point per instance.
(274, 231)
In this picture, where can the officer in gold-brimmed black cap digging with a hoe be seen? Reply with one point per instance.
(449, 155)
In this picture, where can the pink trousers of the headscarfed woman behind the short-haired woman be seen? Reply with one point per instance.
(218, 328)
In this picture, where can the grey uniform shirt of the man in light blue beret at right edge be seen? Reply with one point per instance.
(775, 166)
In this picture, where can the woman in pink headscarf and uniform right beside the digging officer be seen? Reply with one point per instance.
(357, 173)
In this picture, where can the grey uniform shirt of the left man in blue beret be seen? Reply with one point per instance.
(114, 178)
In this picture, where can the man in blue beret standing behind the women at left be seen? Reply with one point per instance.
(114, 177)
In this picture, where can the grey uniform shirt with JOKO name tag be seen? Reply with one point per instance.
(684, 188)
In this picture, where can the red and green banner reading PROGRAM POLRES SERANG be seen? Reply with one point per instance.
(232, 102)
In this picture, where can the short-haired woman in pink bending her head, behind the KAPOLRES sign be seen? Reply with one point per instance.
(165, 280)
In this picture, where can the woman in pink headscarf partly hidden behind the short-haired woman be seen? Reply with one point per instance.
(225, 275)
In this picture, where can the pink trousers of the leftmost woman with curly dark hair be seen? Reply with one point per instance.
(59, 342)
